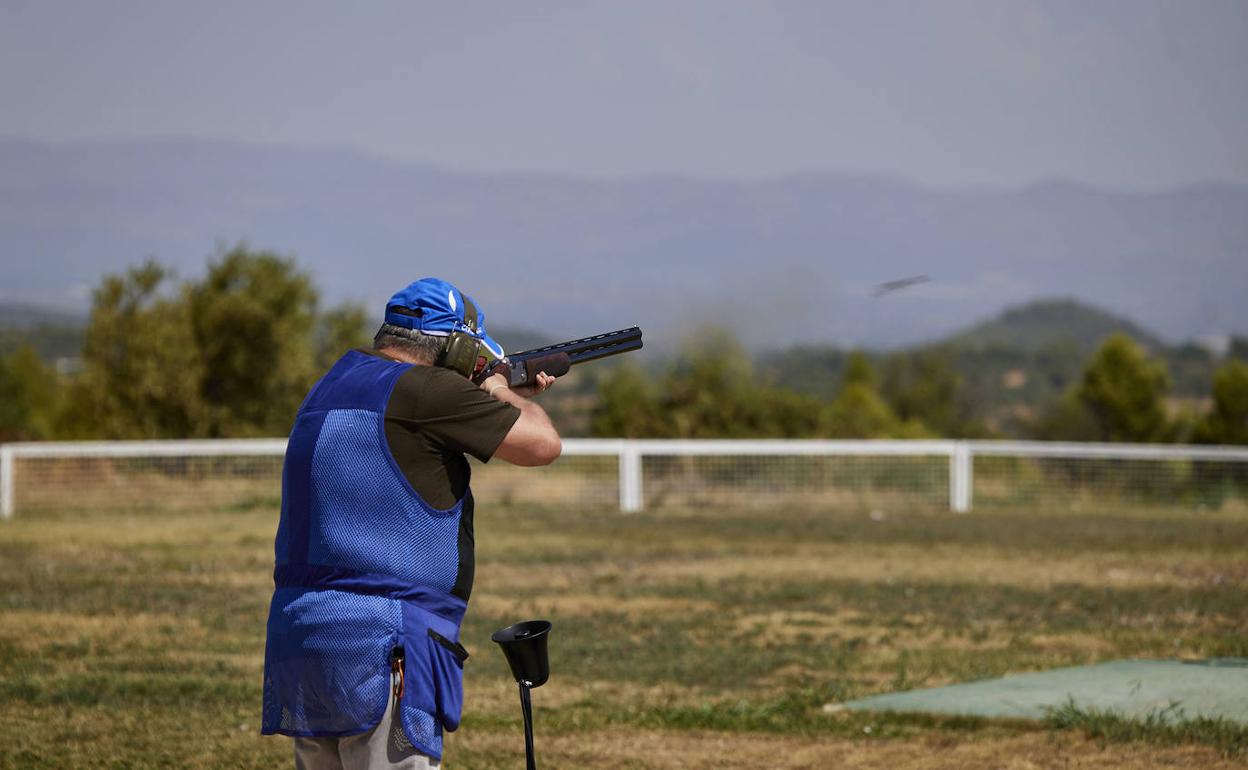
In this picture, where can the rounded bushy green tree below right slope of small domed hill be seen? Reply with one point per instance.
(1125, 391)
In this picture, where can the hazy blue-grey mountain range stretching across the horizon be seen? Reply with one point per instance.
(783, 261)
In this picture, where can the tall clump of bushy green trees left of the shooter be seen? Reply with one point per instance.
(232, 355)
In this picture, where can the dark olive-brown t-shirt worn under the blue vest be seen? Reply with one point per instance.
(434, 419)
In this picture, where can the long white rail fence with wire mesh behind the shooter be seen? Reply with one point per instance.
(636, 475)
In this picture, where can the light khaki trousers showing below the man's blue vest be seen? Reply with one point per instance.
(385, 747)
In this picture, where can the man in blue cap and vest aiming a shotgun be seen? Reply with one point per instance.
(375, 547)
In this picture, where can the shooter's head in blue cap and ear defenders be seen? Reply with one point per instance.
(439, 325)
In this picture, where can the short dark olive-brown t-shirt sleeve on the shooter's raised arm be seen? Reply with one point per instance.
(451, 410)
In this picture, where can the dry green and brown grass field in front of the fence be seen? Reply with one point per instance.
(682, 640)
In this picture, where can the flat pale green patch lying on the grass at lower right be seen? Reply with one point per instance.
(1130, 688)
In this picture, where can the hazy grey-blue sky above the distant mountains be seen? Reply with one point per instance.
(1135, 94)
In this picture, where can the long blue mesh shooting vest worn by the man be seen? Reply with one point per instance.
(365, 566)
